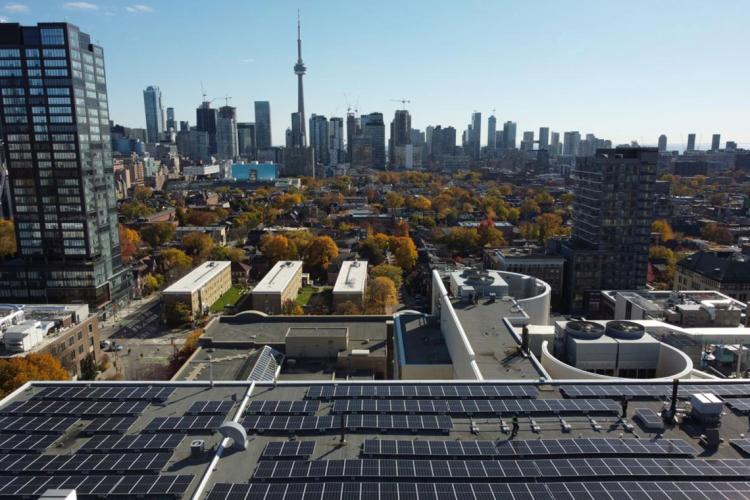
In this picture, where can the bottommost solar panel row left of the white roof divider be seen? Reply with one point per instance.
(102, 486)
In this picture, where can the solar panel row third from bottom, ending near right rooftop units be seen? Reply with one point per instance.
(523, 449)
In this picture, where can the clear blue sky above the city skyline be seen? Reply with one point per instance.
(621, 70)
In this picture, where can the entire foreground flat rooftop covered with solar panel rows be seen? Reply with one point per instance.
(460, 433)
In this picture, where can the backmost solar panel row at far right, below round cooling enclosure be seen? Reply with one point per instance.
(653, 391)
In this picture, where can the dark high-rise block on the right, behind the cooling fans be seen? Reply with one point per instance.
(613, 209)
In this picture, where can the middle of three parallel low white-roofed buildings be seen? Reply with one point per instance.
(280, 284)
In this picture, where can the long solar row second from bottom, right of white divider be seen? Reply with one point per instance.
(503, 470)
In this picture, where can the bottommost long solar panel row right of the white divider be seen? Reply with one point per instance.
(644, 490)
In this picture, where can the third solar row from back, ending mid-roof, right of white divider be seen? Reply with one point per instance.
(353, 423)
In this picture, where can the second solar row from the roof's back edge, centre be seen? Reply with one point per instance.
(460, 407)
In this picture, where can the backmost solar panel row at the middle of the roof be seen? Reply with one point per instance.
(443, 391)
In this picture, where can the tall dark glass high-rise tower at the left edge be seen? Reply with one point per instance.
(56, 135)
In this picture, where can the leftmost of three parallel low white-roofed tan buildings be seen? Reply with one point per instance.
(203, 286)
